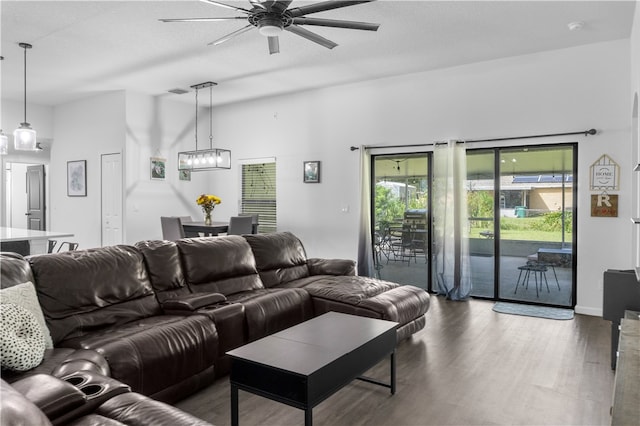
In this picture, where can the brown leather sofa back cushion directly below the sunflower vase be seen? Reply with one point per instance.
(219, 264)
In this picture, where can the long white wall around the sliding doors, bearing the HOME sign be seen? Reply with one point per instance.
(558, 91)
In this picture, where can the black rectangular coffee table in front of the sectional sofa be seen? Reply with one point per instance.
(305, 364)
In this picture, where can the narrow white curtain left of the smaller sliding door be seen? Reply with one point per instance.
(365, 250)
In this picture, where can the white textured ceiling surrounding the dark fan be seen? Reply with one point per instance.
(85, 47)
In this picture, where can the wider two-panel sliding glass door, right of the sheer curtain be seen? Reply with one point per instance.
(521, 203)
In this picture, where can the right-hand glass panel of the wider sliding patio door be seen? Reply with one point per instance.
(537, 196)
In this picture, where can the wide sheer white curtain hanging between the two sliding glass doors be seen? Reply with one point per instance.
(451, 235)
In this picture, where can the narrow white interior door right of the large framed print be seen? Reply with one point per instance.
(111, 194)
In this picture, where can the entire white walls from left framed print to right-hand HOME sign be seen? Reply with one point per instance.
(557, 91)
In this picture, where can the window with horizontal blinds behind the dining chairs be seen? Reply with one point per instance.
(259, 192)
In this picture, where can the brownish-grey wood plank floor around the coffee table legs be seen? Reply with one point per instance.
(468, 366)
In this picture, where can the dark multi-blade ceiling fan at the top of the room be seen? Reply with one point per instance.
(271, 17)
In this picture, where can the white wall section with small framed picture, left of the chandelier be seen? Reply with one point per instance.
(161, 127)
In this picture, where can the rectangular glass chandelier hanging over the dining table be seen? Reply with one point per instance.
(205, 159)
